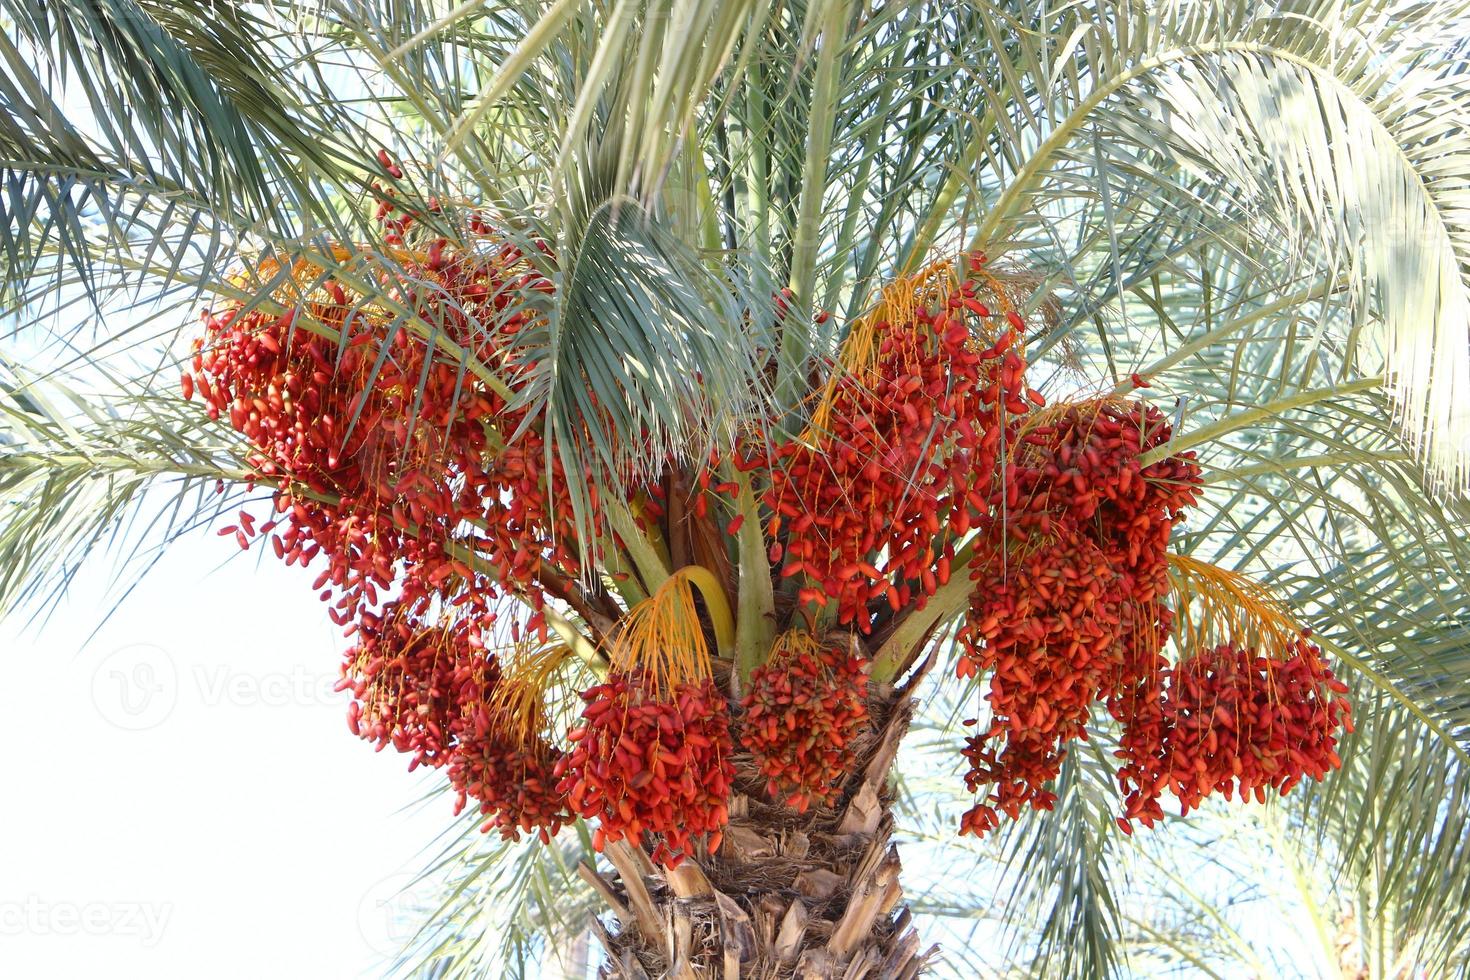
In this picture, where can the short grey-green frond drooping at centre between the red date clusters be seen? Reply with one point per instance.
(645, 356)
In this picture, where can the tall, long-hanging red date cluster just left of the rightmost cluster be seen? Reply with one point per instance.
(1068, 575)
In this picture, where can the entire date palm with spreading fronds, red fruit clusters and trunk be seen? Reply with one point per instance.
(670, 378)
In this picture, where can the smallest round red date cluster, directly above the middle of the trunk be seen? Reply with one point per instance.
(803, 712)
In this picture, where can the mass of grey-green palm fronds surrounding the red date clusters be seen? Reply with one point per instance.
(1261, 211)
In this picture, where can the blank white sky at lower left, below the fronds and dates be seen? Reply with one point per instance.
(187, 800)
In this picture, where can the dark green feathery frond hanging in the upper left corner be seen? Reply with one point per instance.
(183, 105)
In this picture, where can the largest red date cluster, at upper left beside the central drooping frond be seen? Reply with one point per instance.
(389, 455)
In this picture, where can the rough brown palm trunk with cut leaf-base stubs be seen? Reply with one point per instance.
(786, 896)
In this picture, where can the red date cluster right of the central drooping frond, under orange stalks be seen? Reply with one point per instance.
(903, 449)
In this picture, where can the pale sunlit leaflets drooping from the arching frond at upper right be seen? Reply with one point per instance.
(1366, 179)
